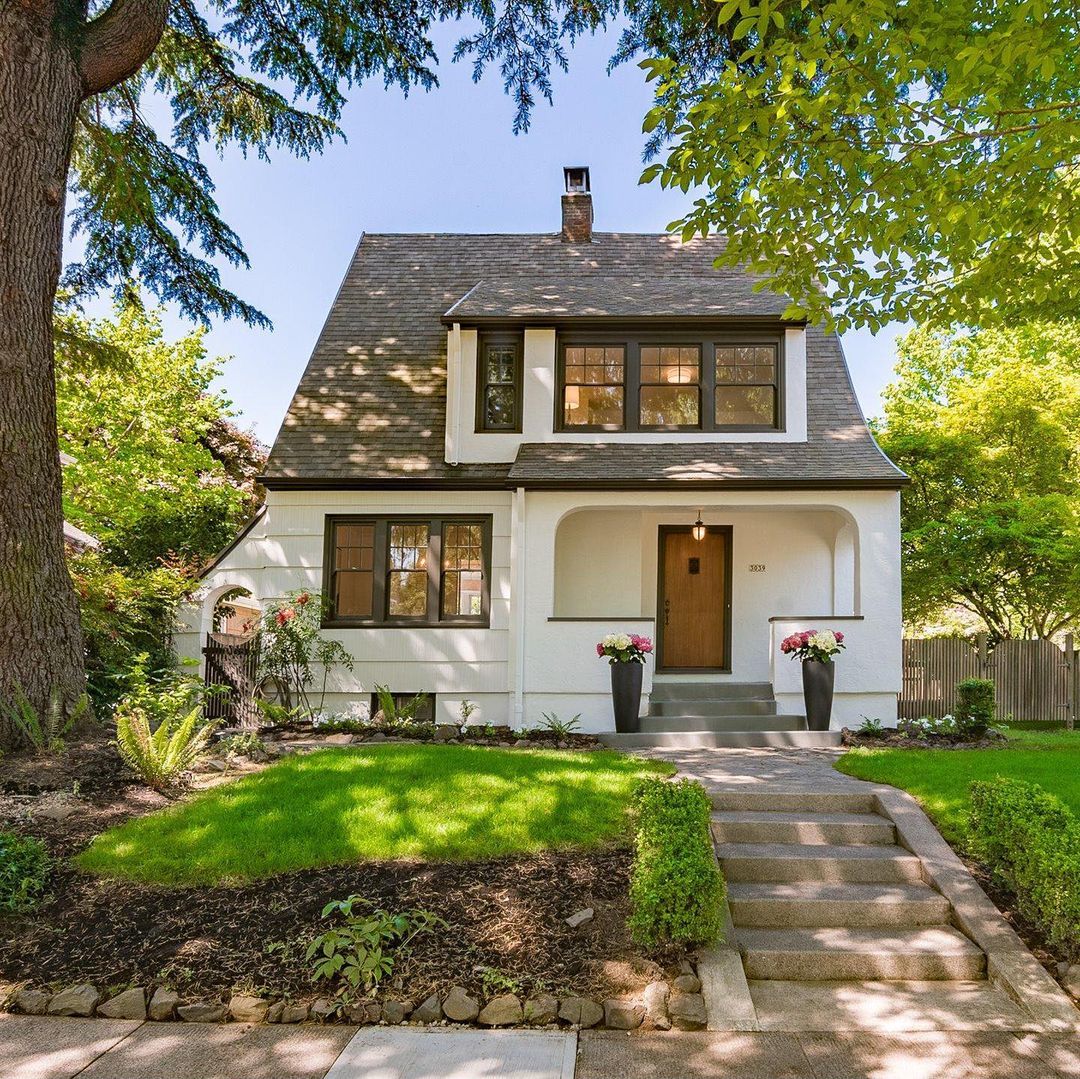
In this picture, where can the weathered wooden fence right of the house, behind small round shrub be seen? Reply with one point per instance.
(1034, 680)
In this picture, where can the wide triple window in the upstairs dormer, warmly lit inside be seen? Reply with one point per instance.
(694, 381)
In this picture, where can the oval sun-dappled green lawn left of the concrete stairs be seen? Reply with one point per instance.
(334, 807)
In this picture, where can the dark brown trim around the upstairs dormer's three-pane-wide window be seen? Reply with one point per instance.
(707, 340)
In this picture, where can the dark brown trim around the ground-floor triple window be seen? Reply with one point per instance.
(382, 523)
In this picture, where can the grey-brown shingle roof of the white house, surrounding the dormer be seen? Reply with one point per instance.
(371, 407)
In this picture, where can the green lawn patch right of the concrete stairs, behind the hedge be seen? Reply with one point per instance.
(940, 778)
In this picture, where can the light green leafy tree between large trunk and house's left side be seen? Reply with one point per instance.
(160, 469)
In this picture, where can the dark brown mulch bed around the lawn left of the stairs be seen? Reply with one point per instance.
(506, 916)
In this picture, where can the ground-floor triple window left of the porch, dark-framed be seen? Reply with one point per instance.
(408, 571)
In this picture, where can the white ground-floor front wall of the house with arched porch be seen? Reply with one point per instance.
(569, 568)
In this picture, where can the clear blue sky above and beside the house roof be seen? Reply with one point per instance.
(443, 163)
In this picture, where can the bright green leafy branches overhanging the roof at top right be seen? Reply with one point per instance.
(886, 160)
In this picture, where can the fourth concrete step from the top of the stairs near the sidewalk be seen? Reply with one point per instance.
(819, 906)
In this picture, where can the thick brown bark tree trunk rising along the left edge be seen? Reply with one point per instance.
(40, 92)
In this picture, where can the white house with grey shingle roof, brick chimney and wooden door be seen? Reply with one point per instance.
(497, 455)
